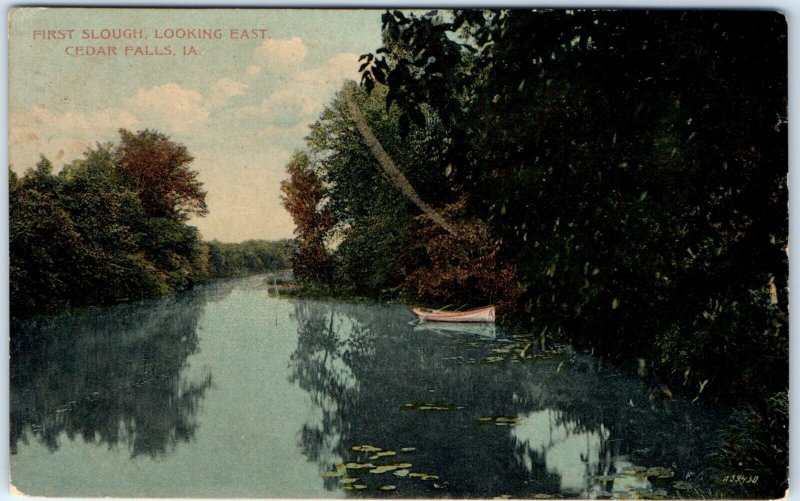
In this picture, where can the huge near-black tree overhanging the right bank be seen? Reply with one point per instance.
(625, 161)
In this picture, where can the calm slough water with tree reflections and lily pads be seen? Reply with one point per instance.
(230, 391)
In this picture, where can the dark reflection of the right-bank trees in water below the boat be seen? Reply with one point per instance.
(574, 420)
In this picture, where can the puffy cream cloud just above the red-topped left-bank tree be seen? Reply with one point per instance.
(170, 108)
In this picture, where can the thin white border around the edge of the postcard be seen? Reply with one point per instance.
(790, 8)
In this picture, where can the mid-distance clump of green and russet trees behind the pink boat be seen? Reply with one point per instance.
(339, 198)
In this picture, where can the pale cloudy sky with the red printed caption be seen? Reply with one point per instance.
(241, 106)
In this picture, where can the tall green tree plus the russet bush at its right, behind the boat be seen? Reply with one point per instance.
(376, 183)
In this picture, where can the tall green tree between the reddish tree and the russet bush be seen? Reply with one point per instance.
(373, 217)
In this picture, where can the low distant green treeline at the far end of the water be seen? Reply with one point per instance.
(249, 257)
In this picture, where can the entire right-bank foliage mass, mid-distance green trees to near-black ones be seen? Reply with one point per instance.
(629, 169)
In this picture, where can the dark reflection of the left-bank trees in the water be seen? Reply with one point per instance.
(114, 376)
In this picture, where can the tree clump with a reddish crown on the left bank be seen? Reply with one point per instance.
(99, 232)
